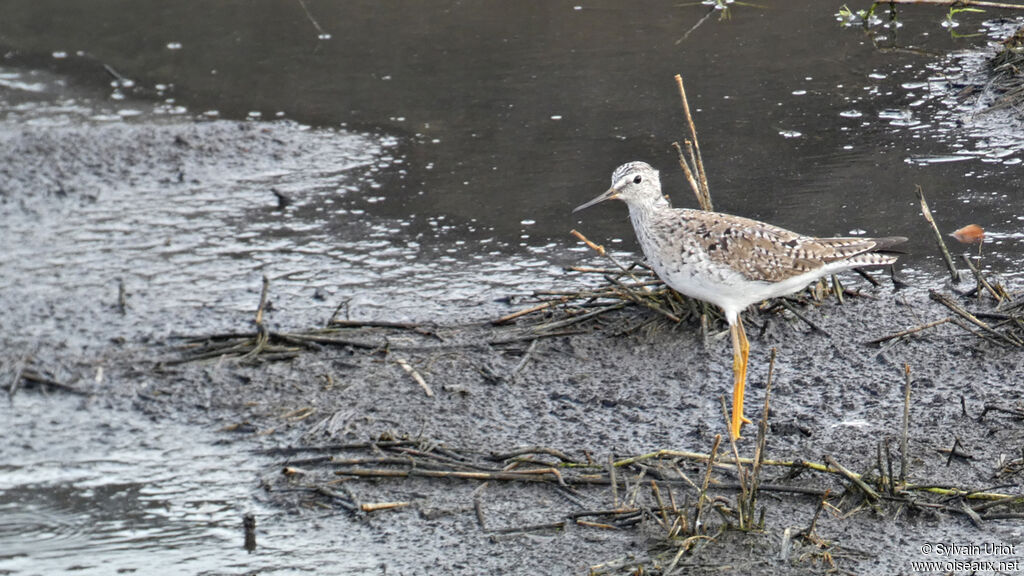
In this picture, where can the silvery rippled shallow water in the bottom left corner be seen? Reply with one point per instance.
(89, 489)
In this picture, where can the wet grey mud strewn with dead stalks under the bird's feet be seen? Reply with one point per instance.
(535, 447)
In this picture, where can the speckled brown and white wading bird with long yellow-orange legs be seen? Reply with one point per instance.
(729, 261)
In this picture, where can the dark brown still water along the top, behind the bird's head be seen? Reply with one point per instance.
(510, 114)
